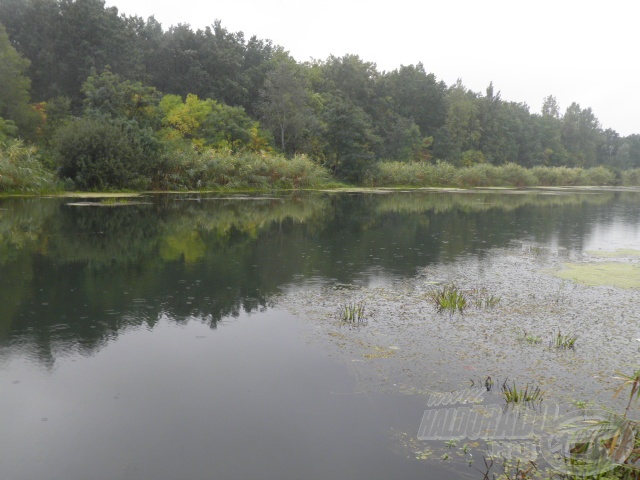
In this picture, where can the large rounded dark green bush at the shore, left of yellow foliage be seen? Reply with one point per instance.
(106, 154)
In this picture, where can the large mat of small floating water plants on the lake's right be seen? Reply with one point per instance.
(407, 347)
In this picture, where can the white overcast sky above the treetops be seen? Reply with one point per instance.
(582, 51)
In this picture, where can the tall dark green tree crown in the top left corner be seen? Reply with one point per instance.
(65, 39)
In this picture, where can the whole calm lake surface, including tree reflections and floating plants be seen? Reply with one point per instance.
(200, 336)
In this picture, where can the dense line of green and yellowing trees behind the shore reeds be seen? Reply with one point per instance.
(74, 70)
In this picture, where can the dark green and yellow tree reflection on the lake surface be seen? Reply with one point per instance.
(73, 278)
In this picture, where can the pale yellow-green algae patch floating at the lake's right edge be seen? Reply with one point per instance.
(621, 275)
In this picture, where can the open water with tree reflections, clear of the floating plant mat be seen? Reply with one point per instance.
(145, 341)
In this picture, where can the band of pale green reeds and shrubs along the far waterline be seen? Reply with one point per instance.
(23, 172)
